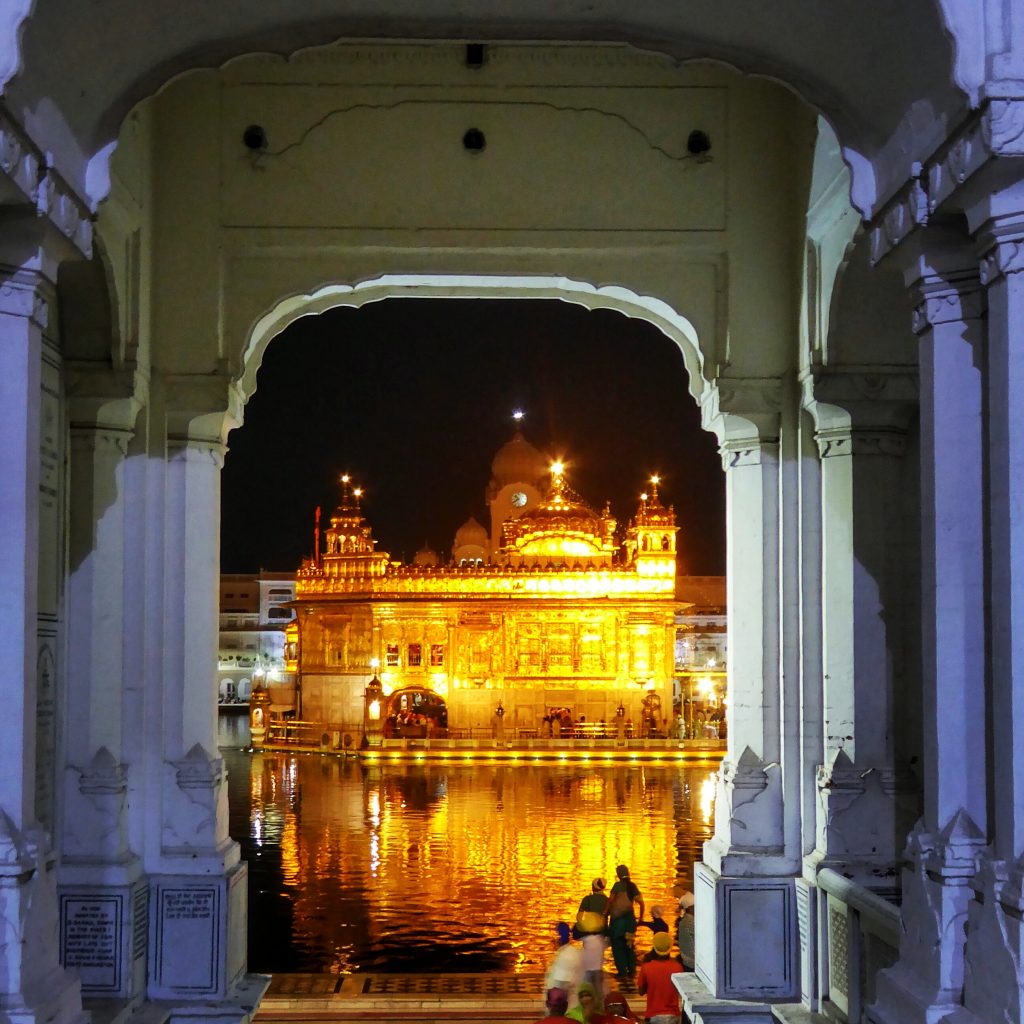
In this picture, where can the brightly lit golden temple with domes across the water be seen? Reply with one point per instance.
(553, 609)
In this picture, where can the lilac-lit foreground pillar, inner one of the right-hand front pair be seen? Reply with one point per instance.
(943, 849)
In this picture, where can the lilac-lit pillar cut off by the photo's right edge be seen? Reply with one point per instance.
(994, 975)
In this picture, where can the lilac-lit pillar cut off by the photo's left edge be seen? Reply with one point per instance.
(33, 986)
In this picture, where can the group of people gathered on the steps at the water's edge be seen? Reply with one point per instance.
(576, 987)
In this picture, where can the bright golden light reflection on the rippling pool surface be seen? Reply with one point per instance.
(444, 835)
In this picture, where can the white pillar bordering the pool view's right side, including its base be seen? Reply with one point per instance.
(745, 887)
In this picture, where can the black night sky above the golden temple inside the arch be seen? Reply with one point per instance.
(414, 398)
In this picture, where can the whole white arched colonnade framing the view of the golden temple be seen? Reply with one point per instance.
(827, 216)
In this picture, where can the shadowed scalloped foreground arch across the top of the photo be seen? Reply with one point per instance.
(863, 63)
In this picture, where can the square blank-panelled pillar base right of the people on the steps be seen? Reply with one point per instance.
(748, 942)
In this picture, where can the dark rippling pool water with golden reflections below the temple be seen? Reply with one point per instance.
(449, 868)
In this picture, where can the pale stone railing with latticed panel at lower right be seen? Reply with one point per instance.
(861, 934)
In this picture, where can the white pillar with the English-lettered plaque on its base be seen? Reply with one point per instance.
(102, 889)
